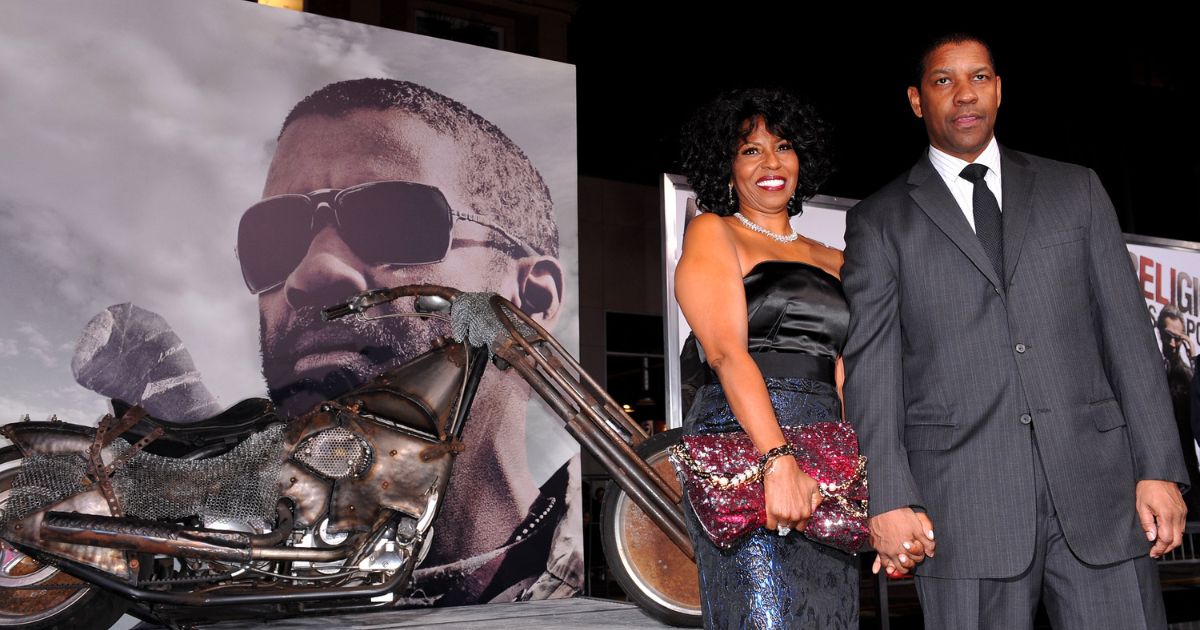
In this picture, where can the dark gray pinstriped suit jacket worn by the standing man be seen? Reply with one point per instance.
(953, 374)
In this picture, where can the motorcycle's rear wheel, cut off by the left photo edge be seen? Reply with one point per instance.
(87, 609)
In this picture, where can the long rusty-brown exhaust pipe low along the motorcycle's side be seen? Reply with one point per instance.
(153, 537)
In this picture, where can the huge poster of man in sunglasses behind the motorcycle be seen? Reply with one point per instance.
(187, 184)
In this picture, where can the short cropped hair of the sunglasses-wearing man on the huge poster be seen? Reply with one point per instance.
(500, 179)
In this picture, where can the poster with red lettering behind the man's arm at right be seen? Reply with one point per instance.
(1169, 277)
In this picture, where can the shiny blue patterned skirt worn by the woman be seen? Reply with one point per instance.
(771, 581)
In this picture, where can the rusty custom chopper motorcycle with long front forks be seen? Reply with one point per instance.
(248, 515)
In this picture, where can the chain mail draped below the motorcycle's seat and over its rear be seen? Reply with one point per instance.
(241, 485)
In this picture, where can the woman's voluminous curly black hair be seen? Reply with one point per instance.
(710, 142)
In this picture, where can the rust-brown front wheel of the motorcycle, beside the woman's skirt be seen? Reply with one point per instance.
(652, 572)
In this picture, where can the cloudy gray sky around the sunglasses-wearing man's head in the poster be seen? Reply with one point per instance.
(135, 133)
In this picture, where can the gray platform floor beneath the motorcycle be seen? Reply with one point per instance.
(565, 614)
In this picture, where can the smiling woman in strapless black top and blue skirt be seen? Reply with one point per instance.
(769, 310)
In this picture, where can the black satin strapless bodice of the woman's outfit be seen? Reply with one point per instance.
(796, 308)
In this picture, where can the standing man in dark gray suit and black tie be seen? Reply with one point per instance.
(1005, 380)
